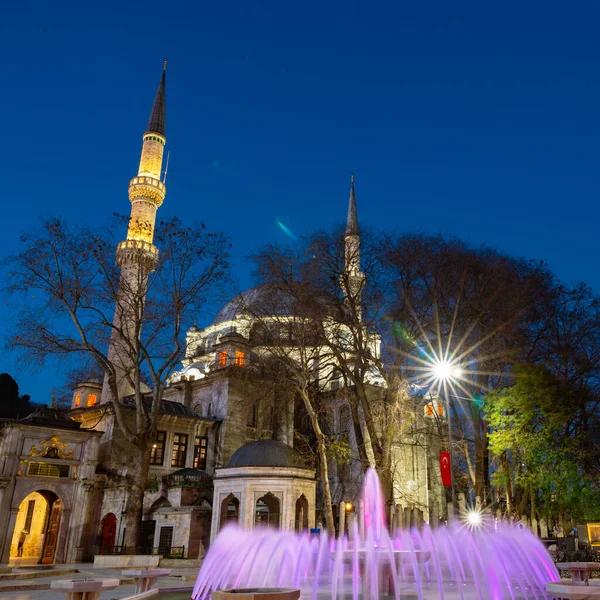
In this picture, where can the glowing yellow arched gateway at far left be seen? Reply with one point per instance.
(35, 535)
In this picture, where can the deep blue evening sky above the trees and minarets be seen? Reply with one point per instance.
(480, 120)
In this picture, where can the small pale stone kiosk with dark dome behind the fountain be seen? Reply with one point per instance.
(264, 485)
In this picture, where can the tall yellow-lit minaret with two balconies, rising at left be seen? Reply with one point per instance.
(137, 256)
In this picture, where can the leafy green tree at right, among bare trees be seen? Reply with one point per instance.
(540, 458)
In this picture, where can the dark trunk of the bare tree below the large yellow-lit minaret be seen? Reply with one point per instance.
(137, 474)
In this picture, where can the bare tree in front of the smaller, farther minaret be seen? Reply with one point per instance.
(344, 309)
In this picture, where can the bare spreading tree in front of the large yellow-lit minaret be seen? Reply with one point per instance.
(72, 300)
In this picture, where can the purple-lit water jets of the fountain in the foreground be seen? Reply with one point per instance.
(495, 562)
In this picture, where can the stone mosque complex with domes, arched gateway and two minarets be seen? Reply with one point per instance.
(224, 448)
